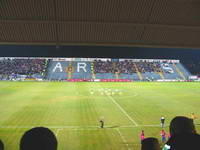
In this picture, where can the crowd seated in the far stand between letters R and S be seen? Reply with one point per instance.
(126, 66)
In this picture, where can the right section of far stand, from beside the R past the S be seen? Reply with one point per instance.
(142, 70)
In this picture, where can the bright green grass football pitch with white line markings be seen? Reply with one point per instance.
(73, 110)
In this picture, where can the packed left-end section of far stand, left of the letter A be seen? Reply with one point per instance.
(11, 68)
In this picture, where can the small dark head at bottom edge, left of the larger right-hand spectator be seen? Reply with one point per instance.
(150, 144)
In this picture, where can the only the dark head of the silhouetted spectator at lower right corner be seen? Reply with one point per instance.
(182, 125)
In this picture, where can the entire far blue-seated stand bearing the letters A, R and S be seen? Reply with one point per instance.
(92, 69)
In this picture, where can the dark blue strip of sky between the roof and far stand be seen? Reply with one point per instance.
(99, 51)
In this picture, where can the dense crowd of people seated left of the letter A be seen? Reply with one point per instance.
(10, 66)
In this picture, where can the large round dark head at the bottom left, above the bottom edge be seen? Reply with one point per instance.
(38, 138)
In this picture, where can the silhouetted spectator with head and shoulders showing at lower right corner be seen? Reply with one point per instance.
(183, 135)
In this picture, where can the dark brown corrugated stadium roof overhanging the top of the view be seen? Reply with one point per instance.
(155, 23)
